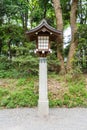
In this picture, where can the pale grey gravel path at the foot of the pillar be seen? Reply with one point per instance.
(58, 119)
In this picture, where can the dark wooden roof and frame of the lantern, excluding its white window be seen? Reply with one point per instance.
(43, 29)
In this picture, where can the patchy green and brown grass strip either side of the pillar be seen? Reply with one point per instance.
(67, 91)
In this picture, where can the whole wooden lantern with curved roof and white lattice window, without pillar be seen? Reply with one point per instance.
(43, 34)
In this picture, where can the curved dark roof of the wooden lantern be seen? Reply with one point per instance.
(43, 28)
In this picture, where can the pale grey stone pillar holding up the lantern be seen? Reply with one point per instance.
(43, 103)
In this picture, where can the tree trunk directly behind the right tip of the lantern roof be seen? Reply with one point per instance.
(59, 21)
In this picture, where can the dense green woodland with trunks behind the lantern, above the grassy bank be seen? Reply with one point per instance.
(18, 16)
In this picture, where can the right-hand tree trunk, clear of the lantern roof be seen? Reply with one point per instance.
(74, 41)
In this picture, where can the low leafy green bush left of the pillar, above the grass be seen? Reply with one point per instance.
(19, 67)
